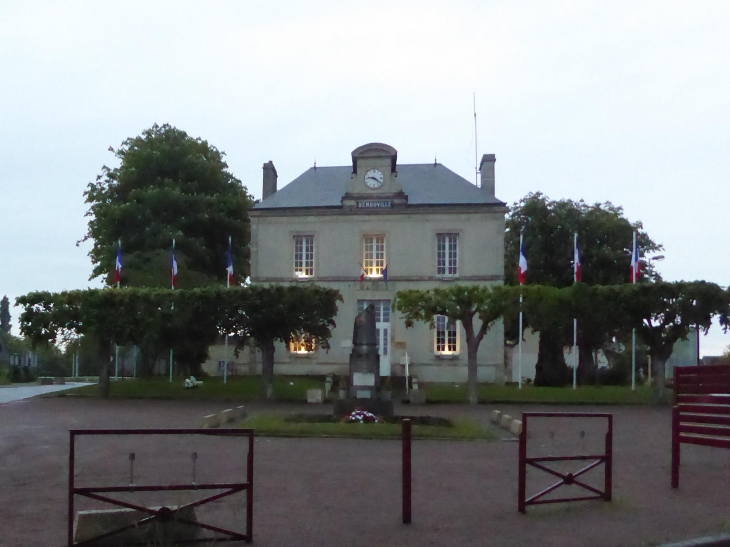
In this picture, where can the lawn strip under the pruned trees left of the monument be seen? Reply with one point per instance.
(239, 388)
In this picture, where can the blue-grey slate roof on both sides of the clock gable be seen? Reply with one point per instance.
(424, 184)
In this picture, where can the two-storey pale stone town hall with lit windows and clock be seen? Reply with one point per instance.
(415, 226)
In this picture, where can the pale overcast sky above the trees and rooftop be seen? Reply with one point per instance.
(619, 101)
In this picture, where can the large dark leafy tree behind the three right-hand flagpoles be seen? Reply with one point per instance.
(605, 241)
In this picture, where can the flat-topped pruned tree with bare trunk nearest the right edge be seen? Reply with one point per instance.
(664, 313)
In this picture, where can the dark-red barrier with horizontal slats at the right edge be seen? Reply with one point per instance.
(701, 414)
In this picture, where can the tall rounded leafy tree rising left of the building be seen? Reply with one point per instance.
(168, 185)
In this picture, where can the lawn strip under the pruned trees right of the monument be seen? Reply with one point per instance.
(592, 395)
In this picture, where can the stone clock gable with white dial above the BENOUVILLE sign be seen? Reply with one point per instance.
(374, 180)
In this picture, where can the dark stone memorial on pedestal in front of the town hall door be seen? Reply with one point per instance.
(364, 390)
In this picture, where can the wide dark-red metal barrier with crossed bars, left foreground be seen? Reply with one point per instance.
(164, 514)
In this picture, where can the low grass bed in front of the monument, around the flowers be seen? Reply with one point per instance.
(276, 425)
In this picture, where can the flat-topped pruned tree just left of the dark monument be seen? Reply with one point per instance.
(281, 313)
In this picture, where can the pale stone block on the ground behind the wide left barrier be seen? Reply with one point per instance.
(91, 524)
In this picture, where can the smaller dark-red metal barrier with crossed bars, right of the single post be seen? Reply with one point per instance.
(565, 478)
